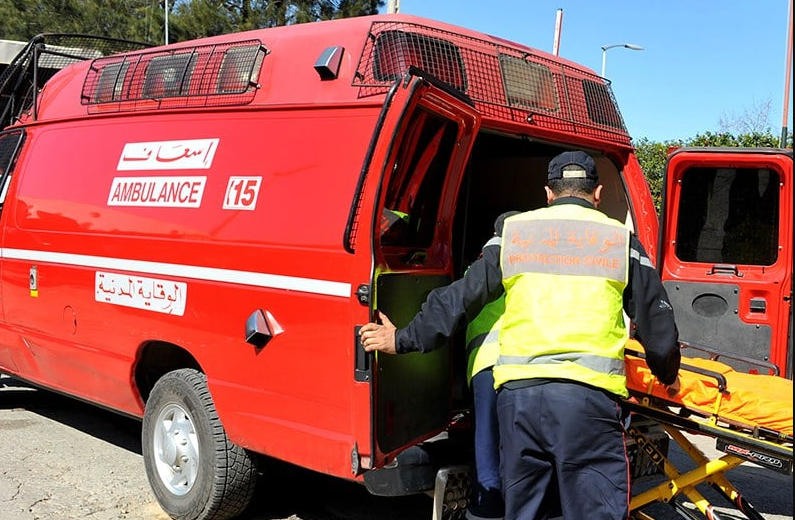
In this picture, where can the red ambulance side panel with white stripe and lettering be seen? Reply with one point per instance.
(175, 230)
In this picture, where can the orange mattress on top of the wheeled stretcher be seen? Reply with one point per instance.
(748, 400)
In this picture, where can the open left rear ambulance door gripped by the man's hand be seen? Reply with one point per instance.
(423, 144)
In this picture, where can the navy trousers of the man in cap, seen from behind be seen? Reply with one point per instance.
(564, 434)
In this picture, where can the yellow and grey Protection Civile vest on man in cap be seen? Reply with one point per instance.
(564, 270)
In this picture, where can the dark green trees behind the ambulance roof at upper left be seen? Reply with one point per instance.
(143, 20)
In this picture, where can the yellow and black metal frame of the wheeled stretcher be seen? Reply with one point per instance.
(761, 446)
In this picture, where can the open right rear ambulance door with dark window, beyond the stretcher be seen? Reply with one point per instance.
(726, 253)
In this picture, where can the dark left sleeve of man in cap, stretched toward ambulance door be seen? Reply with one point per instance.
(448, 309)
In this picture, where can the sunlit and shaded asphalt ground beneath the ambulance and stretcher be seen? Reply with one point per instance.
(61, 459)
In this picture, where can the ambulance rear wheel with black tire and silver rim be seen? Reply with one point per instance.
(194, 471)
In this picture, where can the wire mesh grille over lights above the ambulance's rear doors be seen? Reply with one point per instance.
(504, 81)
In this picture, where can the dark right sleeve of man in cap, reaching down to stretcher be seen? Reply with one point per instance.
(646, 303)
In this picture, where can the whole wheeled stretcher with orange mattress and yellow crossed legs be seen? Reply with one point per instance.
(749, 415)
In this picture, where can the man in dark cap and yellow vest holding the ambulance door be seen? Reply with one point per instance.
(567, 271)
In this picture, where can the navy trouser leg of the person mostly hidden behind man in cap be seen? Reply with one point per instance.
(486, 498)
